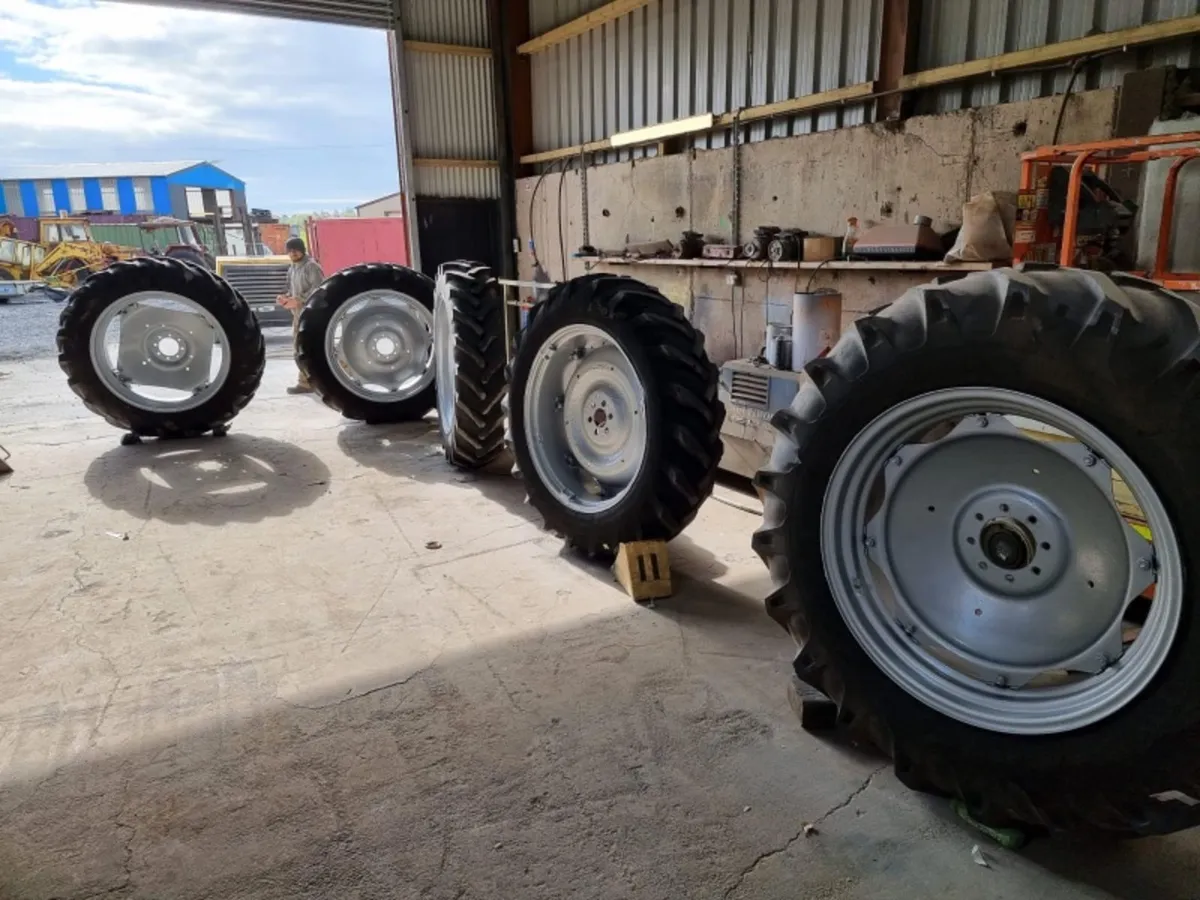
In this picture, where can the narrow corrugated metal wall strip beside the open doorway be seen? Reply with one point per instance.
(451, 104)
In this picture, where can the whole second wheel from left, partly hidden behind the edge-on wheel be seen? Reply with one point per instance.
(367, 344)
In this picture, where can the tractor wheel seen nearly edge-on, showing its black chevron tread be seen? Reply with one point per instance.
(469, 325)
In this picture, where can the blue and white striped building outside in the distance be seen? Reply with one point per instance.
(184, 190)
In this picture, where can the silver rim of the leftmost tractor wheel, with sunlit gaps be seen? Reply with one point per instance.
(160, 352)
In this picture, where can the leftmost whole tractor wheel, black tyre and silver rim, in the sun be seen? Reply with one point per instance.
(161, 349)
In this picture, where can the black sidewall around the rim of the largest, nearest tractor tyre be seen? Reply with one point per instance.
(1168, 706)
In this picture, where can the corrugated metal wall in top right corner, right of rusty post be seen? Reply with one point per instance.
(961, 31)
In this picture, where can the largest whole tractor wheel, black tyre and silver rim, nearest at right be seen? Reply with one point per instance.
(983, 524)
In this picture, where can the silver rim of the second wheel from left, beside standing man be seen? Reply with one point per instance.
(380, 346)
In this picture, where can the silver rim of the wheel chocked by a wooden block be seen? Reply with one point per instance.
(585, 415)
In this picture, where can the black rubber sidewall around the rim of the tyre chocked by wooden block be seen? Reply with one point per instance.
(623, 521)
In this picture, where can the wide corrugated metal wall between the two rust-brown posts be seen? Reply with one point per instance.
(677, 58)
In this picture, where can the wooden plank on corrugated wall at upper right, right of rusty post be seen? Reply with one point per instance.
(1061, 52)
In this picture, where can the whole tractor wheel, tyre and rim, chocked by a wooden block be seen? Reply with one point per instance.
(614, 413)
